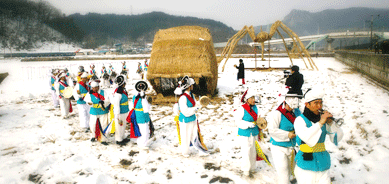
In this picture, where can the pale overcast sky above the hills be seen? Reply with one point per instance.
(233, 13)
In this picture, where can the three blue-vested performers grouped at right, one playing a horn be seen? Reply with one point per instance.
(290, 129)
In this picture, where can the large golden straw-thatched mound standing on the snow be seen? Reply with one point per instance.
(180, 51)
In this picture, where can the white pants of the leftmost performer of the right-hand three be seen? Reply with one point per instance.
(249, 154)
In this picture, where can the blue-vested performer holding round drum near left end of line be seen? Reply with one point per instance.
(64, 103)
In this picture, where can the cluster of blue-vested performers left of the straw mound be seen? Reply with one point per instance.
(103, 113)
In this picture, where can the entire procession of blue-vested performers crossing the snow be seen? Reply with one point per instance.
(289, 128)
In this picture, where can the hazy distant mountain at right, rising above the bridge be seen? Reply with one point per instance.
(305, 23)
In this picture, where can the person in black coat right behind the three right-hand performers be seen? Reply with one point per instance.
(295, 81)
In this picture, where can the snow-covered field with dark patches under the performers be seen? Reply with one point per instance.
(38, 146)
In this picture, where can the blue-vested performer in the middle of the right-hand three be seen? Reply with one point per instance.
(283, 138)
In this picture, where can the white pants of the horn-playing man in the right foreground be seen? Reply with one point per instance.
(311, 177)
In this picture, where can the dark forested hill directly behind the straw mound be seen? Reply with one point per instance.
(144, 26)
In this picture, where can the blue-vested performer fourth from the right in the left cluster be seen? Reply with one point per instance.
(79, 93)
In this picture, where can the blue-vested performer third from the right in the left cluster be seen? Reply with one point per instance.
(98, 122)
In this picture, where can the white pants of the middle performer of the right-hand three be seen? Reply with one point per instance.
(281, 162)
